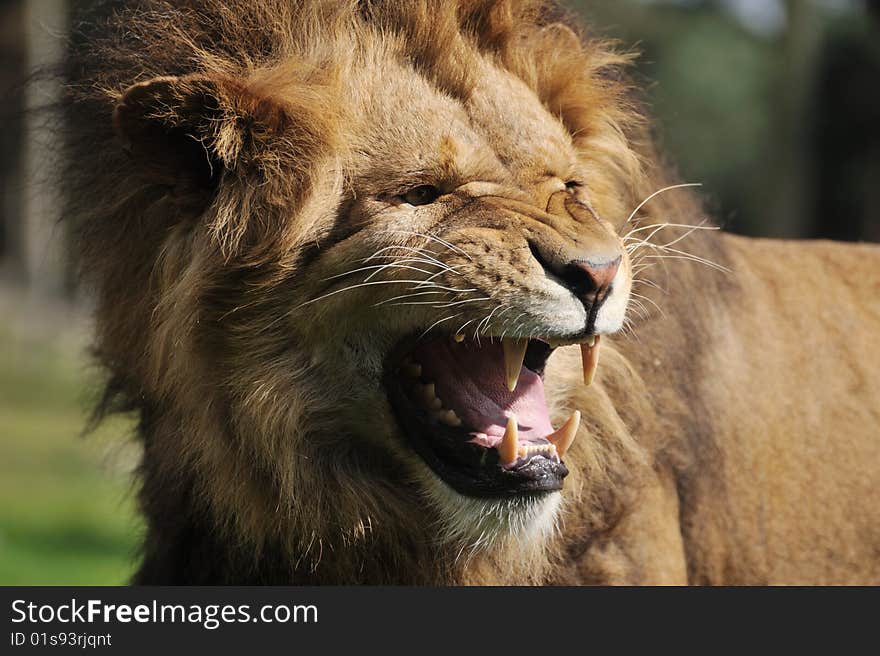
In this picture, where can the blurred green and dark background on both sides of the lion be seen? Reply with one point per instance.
(773, 105)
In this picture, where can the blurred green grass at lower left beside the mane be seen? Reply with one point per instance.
(66, 508)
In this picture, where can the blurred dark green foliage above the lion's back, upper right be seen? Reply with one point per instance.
(746, 112)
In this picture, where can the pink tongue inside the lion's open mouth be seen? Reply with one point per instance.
(470, 380)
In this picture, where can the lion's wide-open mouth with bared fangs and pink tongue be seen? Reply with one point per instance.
(475, 411)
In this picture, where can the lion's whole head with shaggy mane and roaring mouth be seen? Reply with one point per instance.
(334, 248)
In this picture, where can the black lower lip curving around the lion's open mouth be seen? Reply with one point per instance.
(470, 469)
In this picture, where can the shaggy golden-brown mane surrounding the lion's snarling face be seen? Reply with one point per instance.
(184, 351)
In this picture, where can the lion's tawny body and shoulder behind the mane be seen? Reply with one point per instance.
(768, 425)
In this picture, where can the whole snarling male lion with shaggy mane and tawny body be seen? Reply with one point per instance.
(355, 264)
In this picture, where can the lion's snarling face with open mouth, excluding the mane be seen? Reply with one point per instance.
(471, 249)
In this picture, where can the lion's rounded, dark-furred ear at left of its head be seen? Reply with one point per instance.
(184, 132)
